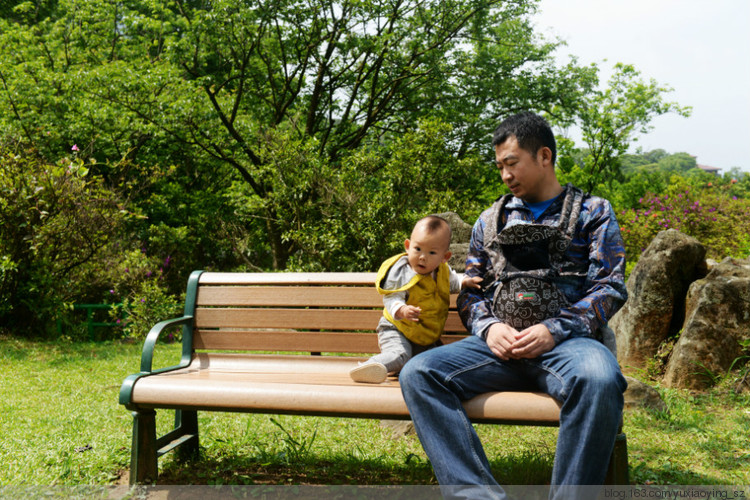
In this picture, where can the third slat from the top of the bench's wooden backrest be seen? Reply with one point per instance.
(316, 319)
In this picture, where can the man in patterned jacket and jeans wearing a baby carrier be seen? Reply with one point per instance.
(552, 263)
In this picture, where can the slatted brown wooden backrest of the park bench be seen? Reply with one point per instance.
(294, 312)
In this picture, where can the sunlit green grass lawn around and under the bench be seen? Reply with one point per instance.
(61, 424)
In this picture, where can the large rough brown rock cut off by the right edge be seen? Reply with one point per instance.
(717, 321)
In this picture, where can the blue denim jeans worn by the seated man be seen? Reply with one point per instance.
(580, 373)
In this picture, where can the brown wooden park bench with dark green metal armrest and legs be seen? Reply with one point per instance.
(233, 328)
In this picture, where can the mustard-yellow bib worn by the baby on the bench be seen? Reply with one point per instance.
(431, 295)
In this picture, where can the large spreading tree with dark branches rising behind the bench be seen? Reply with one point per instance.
(233, 85)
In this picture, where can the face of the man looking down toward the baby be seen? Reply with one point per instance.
(521, 171)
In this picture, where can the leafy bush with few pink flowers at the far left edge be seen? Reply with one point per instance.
(58, 231)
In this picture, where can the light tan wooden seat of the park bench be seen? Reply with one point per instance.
(319, 386)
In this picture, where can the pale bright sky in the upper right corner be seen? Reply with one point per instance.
(700, 48)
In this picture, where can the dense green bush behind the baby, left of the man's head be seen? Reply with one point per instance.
(373, 200)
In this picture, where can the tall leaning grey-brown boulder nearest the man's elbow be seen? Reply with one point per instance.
(656, 292)
